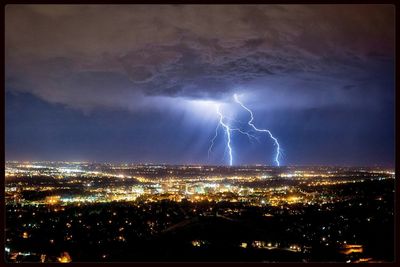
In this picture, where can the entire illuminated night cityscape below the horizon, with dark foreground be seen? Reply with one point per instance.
(63, 211)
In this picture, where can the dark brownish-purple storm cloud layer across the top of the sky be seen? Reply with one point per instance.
(116, 56)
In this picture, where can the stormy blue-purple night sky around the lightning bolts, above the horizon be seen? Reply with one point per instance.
(139, 83)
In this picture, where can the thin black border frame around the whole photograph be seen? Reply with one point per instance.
(227, 2)
